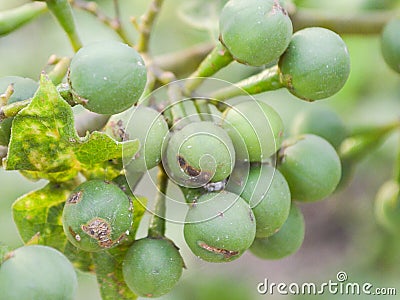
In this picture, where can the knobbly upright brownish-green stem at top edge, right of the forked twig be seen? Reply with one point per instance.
(146, 25)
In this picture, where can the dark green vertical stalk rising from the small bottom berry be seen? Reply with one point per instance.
(157, 225)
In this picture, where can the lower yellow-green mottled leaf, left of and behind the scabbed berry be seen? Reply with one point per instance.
(38, 215)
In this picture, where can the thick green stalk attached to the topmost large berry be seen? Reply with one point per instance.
(217, 59)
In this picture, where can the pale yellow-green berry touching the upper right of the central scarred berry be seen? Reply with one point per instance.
(255, 128)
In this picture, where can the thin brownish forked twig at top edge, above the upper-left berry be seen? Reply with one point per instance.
(115, 24)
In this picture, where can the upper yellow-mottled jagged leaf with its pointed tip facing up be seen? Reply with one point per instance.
(44, 142)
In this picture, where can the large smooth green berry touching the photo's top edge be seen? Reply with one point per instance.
(256, 32)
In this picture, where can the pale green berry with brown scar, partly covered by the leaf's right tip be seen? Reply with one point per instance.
(146, 125)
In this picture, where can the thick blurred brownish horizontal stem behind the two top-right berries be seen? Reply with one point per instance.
(343, 23)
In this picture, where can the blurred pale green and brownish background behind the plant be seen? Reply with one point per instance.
(341, 232)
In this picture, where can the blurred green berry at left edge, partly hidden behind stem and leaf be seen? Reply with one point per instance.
(24, 88)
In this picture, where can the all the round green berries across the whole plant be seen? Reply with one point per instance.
(242, 180)
